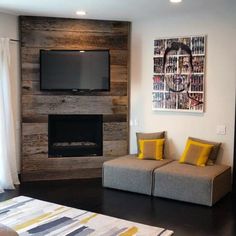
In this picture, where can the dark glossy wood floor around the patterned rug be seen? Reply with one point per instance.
(184, 218)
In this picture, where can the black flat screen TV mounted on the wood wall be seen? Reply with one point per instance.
(75, 70)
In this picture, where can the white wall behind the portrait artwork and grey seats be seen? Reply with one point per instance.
(219, 26)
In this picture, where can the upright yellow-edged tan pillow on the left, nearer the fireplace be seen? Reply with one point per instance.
(151, 149)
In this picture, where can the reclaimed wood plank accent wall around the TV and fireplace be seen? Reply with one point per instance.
(73, 34)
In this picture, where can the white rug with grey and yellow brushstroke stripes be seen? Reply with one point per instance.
(30, 216)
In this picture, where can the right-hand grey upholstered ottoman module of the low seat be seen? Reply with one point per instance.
(202, 185)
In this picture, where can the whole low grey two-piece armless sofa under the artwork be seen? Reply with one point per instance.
(168, 178)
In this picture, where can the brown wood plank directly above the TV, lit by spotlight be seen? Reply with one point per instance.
(73, 40)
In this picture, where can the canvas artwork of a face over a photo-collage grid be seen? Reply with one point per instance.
(179, 74)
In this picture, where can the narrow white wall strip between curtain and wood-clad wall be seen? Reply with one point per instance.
(9, 29)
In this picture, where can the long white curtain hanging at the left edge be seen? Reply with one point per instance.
(8, 169)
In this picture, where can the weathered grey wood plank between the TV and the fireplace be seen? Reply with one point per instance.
(37, 104)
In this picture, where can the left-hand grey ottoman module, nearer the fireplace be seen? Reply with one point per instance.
(131, 174)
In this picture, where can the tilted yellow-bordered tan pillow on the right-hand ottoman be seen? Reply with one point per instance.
(196, 153)
